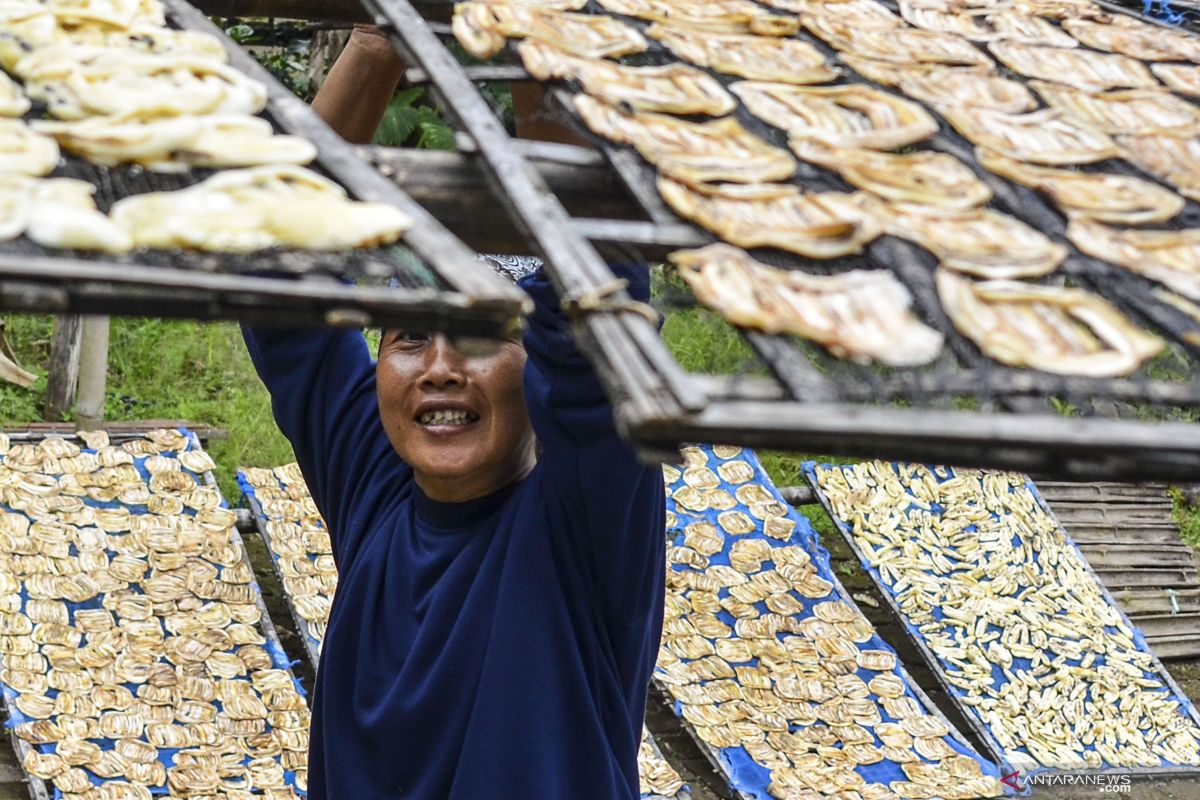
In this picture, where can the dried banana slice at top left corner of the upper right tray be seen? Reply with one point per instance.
(483, 29)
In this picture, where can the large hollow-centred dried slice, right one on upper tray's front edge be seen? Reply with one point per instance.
(1059, 330)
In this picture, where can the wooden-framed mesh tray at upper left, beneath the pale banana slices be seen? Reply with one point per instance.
(440, 285)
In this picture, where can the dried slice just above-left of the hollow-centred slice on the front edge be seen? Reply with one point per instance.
(977, 242)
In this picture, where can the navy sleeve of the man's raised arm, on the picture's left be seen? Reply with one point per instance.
(323, 396)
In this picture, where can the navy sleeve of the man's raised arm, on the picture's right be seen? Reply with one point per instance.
(615, 503)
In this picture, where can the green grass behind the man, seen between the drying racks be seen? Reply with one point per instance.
(201, 374)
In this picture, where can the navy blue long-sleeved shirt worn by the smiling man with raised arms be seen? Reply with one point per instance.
(499, 648)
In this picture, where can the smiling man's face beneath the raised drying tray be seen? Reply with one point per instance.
(460, 422)
